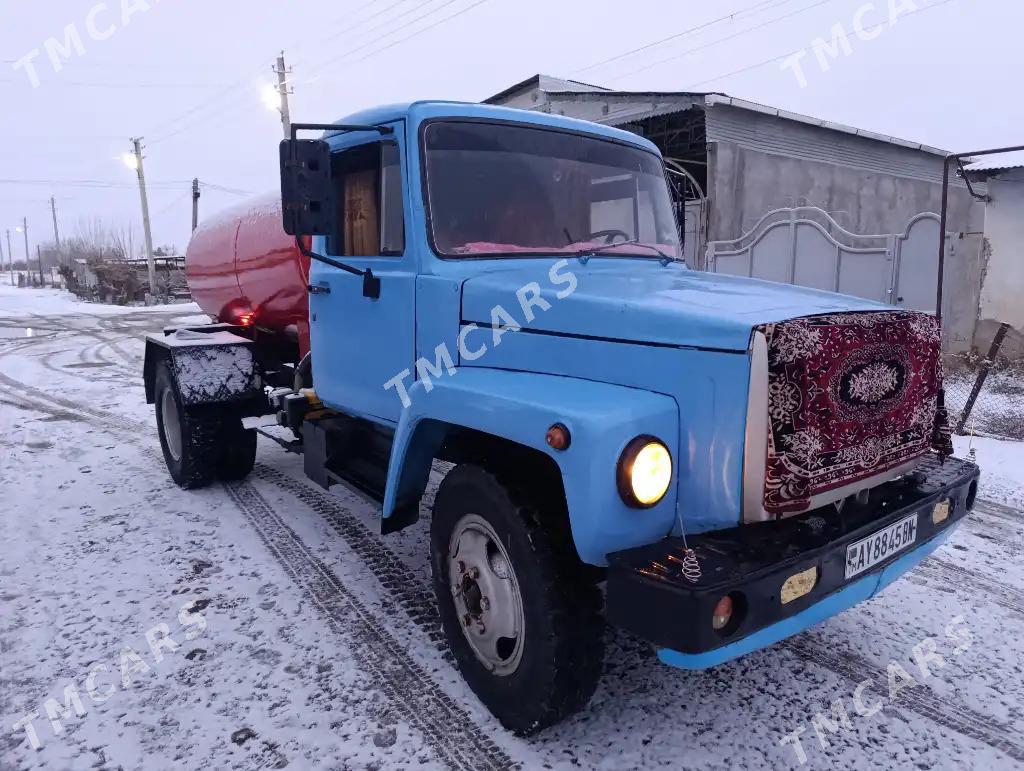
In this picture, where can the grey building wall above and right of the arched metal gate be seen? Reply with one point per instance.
(759, 163)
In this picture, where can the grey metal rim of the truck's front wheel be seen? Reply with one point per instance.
(487, 596)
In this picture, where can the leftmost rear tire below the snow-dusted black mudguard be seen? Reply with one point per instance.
(190, 442)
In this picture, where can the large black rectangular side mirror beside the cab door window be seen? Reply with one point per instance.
(308, 195)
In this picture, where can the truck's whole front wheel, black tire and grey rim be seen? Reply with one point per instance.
(503, 565)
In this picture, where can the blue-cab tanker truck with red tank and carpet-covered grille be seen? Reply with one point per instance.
(712, 463)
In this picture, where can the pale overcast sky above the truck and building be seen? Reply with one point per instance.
(187, 76)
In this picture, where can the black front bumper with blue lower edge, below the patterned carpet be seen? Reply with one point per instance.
(649, 595)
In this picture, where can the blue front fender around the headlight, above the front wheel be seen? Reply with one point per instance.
(603, 419)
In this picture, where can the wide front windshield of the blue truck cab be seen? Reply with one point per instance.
(514, 191)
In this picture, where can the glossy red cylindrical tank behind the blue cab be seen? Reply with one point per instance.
(243, 269)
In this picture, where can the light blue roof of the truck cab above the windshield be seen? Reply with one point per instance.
(423, 110)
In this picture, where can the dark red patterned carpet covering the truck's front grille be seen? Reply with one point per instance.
(851, 401)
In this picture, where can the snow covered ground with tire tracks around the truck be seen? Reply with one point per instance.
(265, 625)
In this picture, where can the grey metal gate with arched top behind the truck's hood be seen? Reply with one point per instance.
(805, 246)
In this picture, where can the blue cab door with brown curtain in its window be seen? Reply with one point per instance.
(360, 344)
